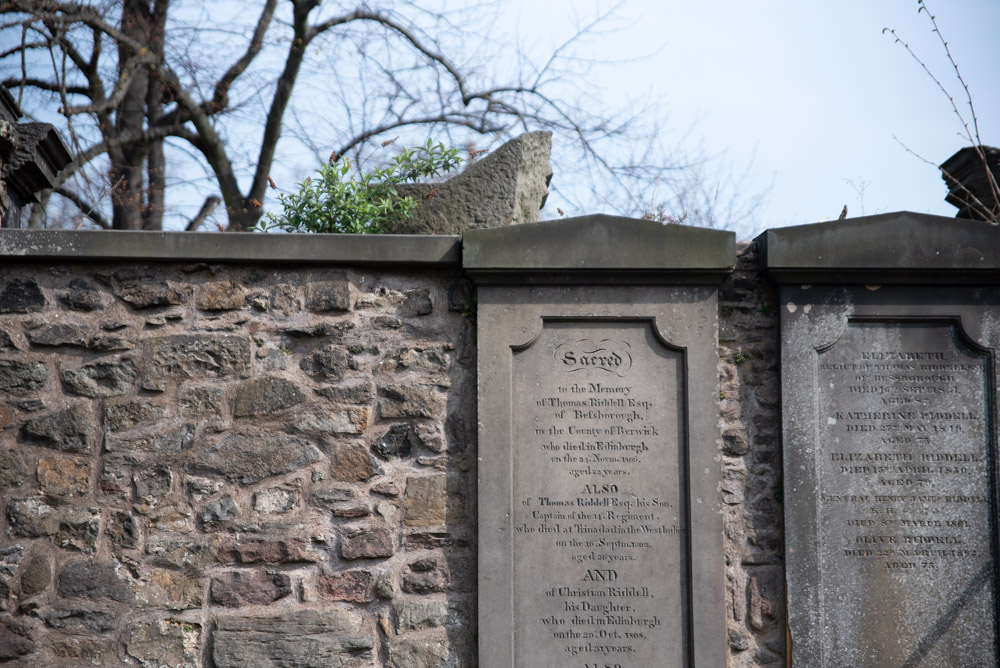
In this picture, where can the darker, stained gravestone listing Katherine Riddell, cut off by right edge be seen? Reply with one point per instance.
(888, 342)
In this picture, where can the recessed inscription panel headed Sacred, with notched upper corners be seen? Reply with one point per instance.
(598, 510)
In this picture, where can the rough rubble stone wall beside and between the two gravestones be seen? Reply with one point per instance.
(202, 464)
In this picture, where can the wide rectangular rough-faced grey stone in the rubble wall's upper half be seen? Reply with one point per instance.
(190, 356)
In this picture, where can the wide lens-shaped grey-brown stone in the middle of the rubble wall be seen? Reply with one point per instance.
(248, 458)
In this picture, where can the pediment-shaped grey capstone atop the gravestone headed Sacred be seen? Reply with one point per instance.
(613, 248)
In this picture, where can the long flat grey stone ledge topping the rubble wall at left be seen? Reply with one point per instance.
(347, 249)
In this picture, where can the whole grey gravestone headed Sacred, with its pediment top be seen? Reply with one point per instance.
(600, 530)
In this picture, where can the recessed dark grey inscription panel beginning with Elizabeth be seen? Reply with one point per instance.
(904, 498)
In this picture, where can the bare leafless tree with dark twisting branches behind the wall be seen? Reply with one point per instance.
(230, 99)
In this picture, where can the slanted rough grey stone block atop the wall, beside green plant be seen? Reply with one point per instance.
(506, 187)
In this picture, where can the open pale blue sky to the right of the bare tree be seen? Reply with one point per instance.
(810, 93)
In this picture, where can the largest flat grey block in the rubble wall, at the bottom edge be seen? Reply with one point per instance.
(303, 639)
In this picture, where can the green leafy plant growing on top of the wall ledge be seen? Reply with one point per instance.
(349, 200)
